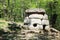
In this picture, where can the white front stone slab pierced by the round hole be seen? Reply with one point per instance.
(35, 24)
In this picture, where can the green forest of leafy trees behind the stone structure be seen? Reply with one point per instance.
(14, 10)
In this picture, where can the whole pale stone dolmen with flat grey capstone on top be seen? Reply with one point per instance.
(37, 19)
